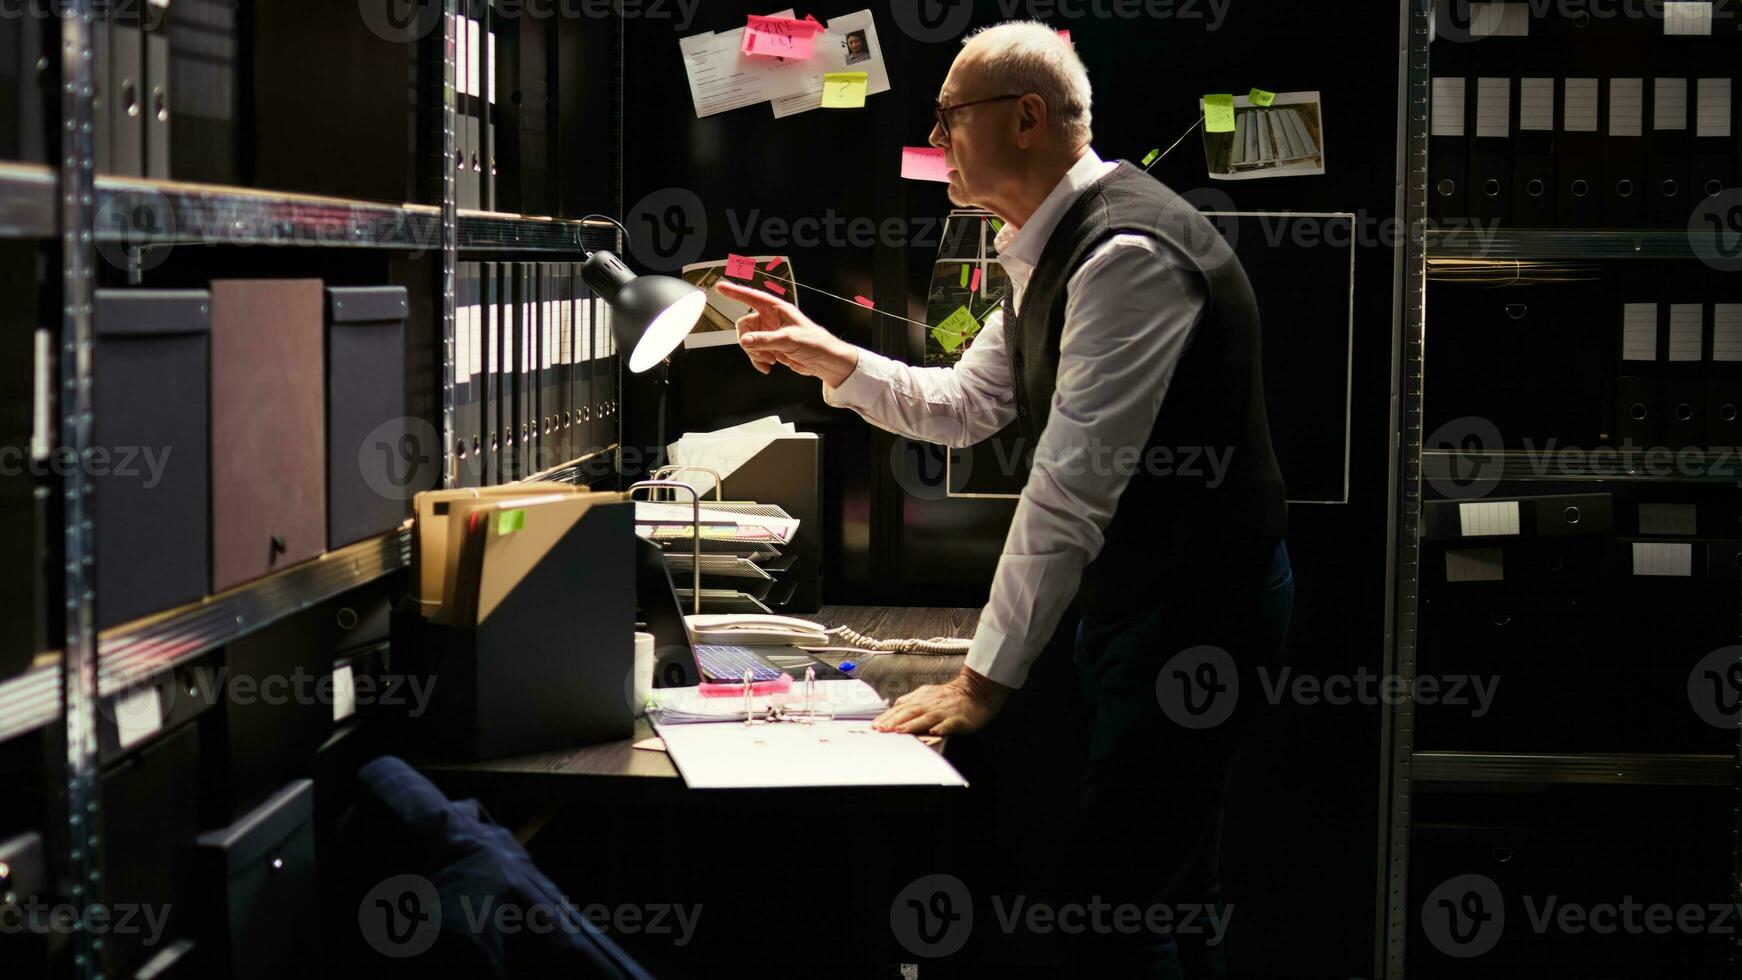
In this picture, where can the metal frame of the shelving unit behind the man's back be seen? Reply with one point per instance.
(1403, 767)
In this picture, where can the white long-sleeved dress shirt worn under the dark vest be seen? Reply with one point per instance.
(1130, 316)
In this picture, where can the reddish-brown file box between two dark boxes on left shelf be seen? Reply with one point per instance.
(269, 507)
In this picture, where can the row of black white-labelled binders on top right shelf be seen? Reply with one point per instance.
(1579, 123)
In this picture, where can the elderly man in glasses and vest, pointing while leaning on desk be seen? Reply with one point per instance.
(1128, 342)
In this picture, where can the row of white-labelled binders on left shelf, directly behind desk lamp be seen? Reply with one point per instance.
(536, 372)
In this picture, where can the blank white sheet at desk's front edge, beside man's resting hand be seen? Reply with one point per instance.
(825, 755)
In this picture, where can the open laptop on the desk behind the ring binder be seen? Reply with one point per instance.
(685, 662)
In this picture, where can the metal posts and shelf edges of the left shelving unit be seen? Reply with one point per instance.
(90, 217)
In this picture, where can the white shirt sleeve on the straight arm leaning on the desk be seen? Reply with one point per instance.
(1128, 321)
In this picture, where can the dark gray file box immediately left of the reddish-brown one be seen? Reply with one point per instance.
(152, 351)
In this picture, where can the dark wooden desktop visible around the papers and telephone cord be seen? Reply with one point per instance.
(891, 676)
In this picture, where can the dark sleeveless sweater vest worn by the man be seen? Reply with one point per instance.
(1177, 527)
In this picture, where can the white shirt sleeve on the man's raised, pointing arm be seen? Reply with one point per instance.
(955, 406)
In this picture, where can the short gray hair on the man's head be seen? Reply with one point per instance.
(1029, 57)
